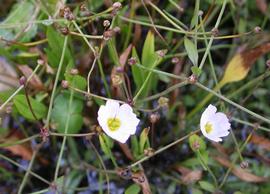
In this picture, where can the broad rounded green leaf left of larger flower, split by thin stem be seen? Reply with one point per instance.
(60, 114)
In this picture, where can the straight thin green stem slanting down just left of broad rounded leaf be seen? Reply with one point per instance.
(56, 82)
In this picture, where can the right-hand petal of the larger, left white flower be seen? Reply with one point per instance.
(129, 121)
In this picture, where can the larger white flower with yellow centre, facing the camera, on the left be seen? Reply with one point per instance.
(118, 122)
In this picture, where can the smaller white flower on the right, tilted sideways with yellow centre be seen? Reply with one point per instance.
(214, 124)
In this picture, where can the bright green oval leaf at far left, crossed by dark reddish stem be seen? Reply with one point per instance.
(21, 105)
